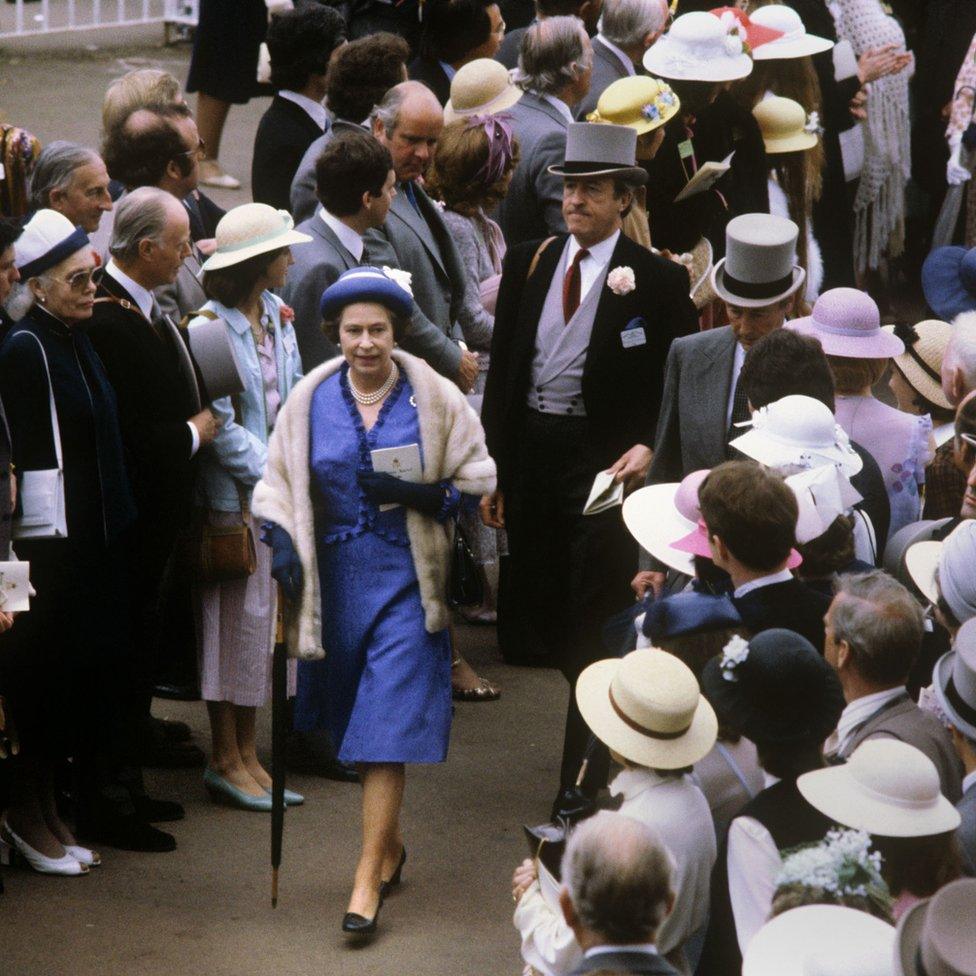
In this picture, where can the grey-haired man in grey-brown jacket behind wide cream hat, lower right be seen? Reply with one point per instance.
(873, 632)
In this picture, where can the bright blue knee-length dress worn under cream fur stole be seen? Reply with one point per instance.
(383, 690)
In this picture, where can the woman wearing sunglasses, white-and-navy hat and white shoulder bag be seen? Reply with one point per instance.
(62, 660)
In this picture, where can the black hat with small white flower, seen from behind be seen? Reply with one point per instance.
(775, 689)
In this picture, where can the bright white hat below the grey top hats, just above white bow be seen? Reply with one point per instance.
(797, 431)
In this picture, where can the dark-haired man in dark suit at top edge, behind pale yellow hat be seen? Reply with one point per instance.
(455, 32)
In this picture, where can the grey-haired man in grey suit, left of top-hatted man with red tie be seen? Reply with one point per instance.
(554, 72)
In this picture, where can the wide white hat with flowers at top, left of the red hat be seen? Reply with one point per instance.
(698, 47)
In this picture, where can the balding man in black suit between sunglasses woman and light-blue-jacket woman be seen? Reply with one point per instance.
(162, 424)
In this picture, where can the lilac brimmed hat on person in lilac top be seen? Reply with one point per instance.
(847, 323)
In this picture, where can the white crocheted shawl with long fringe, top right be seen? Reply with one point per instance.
(879, 205)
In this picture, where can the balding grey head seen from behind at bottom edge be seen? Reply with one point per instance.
(617, 872)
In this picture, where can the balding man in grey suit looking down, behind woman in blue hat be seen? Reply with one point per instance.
(408, 122)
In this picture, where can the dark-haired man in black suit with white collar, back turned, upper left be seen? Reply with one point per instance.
(300, 43)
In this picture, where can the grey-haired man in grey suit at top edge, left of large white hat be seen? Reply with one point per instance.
(627, 29)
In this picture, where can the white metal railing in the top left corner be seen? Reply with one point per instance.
(23, 19)
